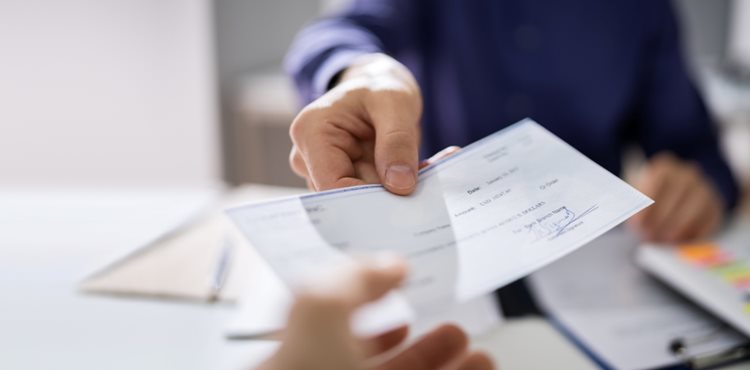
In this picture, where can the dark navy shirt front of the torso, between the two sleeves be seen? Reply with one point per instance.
(573, 66)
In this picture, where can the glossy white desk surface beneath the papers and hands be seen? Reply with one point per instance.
(50, 240)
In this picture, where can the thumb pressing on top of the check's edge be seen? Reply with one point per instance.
(397, 153)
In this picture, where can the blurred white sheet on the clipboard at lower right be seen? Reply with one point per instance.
(619, 313)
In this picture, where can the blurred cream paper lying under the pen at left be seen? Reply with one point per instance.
(181, 264)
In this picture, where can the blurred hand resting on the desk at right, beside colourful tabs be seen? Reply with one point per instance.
(686, 206)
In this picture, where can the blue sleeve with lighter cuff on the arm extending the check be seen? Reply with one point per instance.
(326, 47)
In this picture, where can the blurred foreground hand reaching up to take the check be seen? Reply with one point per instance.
(318, 335)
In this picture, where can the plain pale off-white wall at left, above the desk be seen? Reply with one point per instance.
(107, 93)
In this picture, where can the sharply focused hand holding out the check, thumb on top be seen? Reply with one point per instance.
(365, 130)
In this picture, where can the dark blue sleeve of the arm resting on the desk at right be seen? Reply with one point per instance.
(672, 115)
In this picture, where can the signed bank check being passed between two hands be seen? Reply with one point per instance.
(494, 212)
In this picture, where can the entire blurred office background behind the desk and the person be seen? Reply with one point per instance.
(118, 92)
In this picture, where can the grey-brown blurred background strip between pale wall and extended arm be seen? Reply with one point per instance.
(252, 38)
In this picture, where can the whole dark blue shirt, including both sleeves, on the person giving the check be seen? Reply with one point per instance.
(600, 74)
